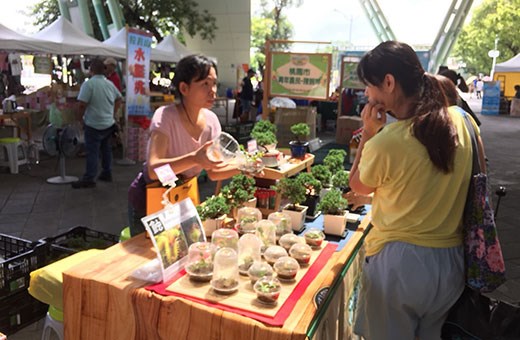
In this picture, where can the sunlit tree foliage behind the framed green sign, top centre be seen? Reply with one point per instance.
(271, 24)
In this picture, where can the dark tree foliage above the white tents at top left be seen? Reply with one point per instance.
(160, 17)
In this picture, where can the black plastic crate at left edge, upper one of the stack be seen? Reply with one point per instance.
(18, 258)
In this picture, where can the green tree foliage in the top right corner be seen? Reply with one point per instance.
(493, 18)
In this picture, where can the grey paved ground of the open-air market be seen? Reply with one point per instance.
(31, 208)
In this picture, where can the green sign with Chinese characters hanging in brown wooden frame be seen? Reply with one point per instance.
(300, 75)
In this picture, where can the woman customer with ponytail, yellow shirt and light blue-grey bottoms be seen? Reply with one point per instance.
(418, 169)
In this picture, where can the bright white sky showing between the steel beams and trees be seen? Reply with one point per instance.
(415, 22)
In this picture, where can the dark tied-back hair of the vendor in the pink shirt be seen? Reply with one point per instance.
(194, 67)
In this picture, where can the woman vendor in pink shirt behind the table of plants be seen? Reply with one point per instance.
(181, 133)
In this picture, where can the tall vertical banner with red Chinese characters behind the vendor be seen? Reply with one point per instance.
(138, 72)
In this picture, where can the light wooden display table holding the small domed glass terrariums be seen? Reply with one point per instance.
(101, 302)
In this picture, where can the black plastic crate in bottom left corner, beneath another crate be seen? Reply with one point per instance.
(20, 310)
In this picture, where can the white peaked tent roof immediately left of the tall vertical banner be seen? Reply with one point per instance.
(70, 40)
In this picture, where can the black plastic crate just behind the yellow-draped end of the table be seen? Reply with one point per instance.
(75, 240)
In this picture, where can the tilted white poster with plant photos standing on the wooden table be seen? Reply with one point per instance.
(172, 230)
